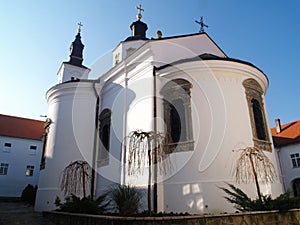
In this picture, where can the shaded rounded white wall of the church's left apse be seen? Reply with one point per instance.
(71, 136)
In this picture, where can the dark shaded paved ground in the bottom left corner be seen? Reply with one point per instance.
(18, 213)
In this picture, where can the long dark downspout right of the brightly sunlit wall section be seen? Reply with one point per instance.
(155, 141)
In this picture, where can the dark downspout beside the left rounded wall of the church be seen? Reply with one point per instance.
(93, 178)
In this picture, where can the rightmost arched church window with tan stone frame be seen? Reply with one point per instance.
(259, 125)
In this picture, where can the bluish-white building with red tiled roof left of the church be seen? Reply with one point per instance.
(21, 146)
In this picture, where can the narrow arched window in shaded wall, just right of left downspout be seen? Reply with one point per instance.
(104, 136)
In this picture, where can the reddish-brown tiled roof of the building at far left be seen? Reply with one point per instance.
(12, 126)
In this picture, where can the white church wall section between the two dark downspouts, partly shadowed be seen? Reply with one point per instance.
(129, 95)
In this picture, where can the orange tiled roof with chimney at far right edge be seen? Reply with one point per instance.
(290, 134)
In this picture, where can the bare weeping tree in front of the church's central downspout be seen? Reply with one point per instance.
(145, 149)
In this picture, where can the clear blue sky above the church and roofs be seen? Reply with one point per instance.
(36, 35)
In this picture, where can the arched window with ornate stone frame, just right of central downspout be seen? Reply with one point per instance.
(177, 115)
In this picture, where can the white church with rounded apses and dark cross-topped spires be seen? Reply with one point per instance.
(206, 104)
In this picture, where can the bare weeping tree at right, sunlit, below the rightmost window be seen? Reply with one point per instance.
(254, 165)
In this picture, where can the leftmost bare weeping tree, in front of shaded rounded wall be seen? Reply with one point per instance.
(76, 178)
